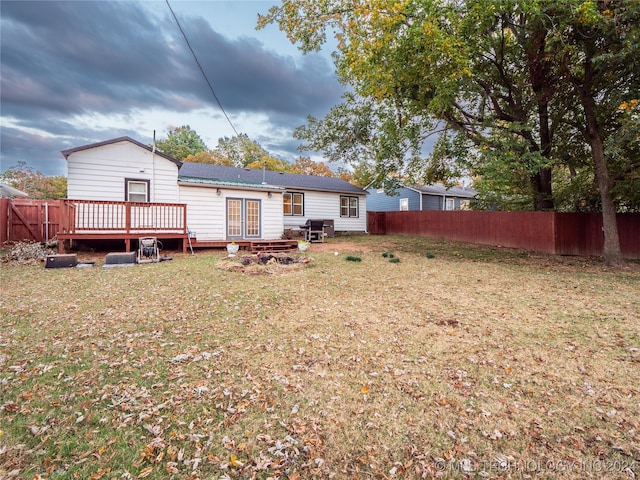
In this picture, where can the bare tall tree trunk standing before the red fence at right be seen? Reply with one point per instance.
(612, 252)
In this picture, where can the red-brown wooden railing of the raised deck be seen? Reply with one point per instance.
(99, 216)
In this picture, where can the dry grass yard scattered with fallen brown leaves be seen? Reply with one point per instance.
(452, 361)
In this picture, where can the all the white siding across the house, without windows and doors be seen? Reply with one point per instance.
(99, 173)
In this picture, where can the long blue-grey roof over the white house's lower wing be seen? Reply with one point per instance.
(290, 181)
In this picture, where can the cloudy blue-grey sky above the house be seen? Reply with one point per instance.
(78, 72)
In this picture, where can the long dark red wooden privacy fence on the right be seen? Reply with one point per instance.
(549, 232)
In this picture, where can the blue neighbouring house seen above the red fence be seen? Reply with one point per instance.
(429, 197)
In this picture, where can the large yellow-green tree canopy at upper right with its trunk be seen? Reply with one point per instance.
(515, 81)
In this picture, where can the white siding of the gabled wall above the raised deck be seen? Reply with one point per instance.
(99, 173)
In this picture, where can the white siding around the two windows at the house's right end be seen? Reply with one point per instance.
(326, 206)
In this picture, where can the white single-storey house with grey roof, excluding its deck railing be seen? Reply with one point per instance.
(222, 203)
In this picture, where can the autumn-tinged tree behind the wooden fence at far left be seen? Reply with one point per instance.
(34, 183)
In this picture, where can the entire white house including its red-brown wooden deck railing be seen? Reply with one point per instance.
(122, 188)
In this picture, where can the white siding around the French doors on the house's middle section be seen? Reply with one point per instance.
(206, 211)
